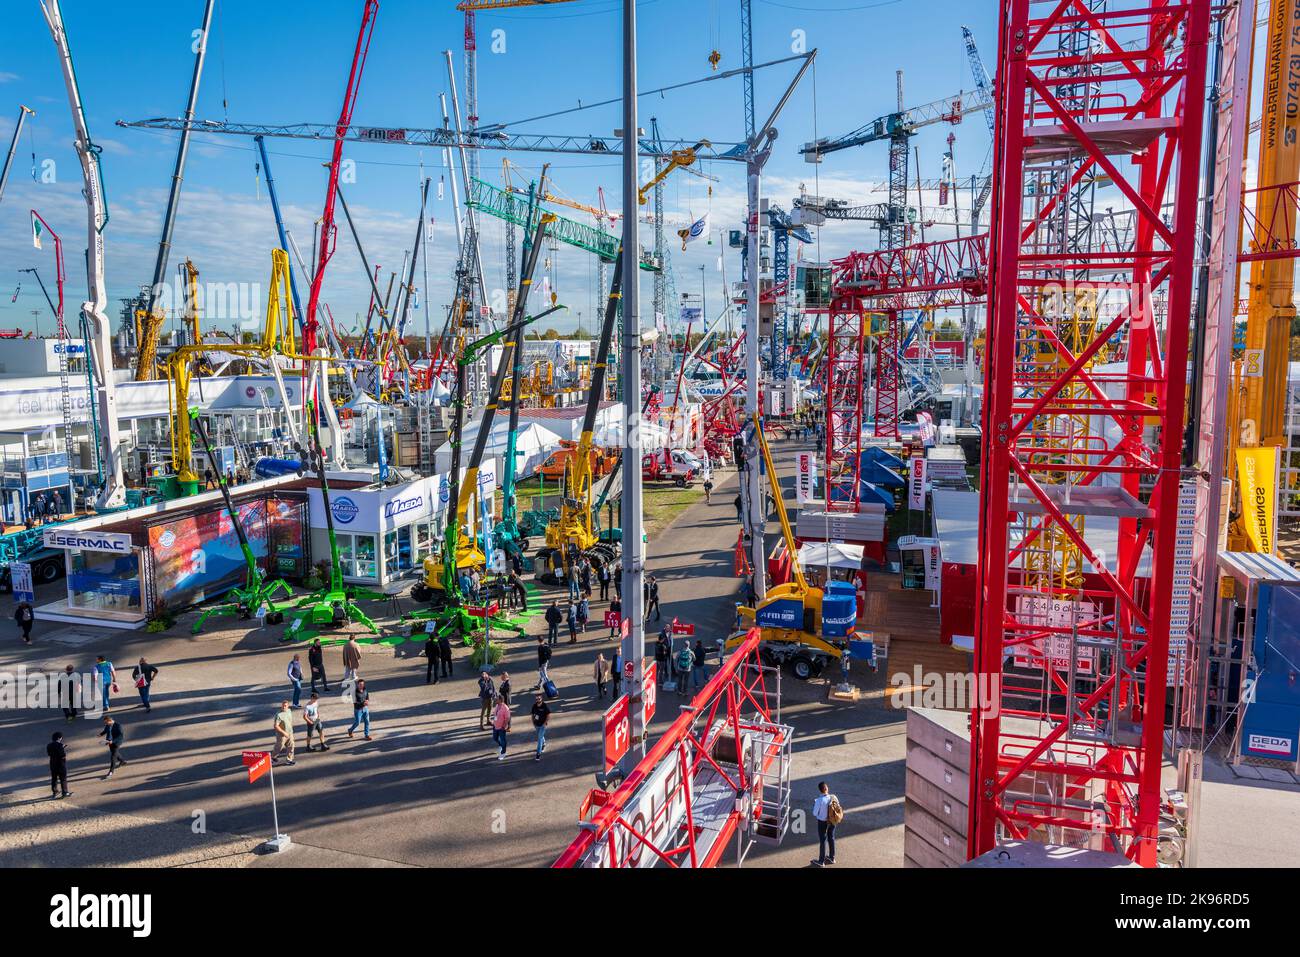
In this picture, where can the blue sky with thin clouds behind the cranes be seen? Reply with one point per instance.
(288, 63)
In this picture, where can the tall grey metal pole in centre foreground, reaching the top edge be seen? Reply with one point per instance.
(632, 649)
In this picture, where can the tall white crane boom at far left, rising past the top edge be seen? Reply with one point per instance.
(99, 347)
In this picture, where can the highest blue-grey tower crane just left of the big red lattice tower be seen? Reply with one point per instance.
(899, 128)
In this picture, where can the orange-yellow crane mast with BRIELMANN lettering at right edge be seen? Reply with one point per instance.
(1262, 396)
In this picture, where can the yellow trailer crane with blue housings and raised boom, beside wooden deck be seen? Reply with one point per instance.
(805, 626)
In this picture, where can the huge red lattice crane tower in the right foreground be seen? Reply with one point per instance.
(1069, 750)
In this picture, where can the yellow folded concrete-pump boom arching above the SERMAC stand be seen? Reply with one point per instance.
(278, 339)
